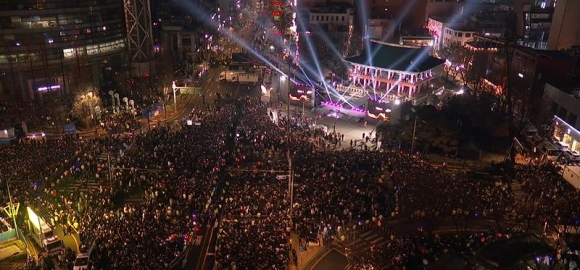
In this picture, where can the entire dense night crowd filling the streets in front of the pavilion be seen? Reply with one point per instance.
(228, 170)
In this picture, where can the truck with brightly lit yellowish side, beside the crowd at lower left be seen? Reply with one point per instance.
(43, 234)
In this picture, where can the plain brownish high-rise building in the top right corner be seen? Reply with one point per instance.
(564, 32)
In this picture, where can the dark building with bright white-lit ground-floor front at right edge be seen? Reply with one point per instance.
(564, 104)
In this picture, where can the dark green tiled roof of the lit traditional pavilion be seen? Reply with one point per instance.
(396, 57)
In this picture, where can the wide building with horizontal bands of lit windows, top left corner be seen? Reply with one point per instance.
(55, 46)
